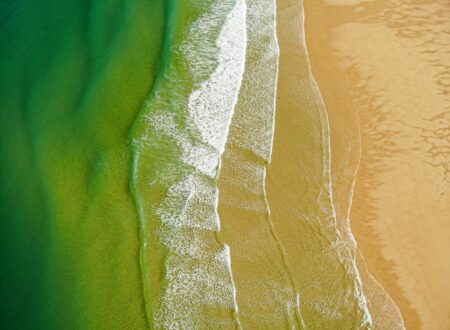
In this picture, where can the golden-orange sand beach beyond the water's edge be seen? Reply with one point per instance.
(386, 64)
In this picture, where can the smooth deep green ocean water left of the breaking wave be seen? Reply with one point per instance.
(74, 77)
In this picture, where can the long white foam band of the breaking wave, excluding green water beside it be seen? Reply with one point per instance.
(198, 267)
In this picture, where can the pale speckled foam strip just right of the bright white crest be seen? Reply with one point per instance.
(253, 127)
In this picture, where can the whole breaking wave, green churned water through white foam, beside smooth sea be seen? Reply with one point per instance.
(186, 125)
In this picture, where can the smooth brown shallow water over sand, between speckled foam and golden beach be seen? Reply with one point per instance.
(286, 259)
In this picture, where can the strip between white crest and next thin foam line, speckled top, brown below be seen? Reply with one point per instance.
(263, 288)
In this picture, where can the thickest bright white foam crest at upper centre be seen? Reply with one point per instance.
(211, 106)
